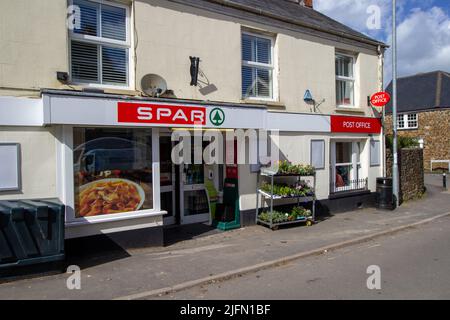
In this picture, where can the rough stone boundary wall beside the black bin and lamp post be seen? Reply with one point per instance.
(411, 172)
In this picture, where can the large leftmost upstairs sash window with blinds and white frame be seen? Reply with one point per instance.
(99, 45)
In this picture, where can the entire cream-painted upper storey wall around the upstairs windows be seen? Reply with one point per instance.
(34, 45)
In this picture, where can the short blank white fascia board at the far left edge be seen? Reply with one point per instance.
(18, 111)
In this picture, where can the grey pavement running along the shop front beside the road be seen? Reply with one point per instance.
(151, 269)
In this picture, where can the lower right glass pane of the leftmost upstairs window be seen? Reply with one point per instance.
(114, 65)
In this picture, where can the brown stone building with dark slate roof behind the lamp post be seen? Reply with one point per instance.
(424, 114)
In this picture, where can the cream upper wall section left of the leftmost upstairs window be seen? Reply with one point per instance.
(33, 44)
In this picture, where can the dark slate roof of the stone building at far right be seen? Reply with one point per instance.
(422, 92)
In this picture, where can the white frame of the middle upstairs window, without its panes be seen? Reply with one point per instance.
(270, 67)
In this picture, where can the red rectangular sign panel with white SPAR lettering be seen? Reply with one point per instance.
(153, 113)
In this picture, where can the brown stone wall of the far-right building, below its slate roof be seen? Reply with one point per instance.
(434, 129)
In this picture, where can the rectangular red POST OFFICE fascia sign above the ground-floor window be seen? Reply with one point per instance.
(346, 124)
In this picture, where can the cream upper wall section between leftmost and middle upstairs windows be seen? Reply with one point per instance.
(167, 35)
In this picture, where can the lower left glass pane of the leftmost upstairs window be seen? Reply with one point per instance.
(84, 58)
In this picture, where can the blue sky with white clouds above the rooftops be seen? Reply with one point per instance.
(423, 30)
